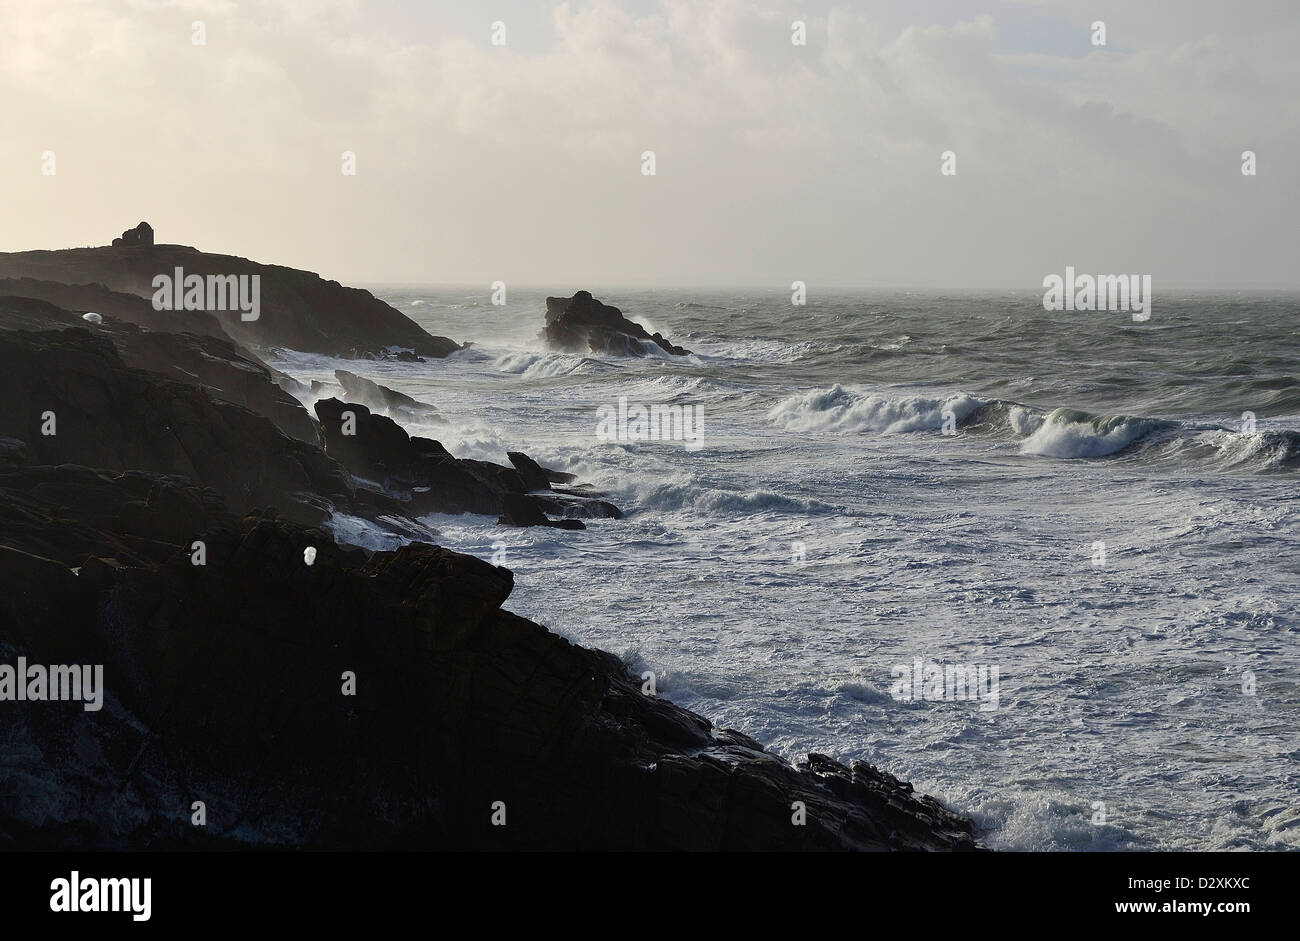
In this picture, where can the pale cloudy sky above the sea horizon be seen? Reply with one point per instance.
(774, 162)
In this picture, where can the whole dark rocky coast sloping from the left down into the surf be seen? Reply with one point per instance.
(161, 493)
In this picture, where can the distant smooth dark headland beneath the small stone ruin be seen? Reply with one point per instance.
(300, 310)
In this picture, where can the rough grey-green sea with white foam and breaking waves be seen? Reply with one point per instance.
(1093, 519)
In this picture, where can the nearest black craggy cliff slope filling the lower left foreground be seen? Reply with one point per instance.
(224, 682)
